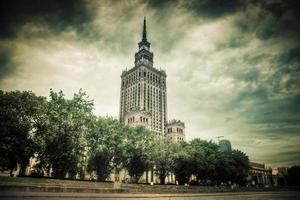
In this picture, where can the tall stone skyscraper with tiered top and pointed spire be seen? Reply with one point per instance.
(143, 98)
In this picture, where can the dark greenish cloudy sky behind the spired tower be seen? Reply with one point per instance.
(233, 66)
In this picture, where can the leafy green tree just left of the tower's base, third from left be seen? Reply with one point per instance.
(106, 146)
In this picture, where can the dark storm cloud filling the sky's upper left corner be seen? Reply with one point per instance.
(58, 14)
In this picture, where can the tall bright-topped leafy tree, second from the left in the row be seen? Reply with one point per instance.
(63, 133)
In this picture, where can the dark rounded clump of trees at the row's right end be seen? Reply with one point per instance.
(209, 165)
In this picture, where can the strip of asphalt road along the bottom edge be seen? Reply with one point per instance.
(291, 195)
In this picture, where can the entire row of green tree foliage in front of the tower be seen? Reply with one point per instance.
(68, 138)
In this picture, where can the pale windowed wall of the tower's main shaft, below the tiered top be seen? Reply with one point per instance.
(143, 89)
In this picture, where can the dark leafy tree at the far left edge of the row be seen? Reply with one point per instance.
(18, 113)
